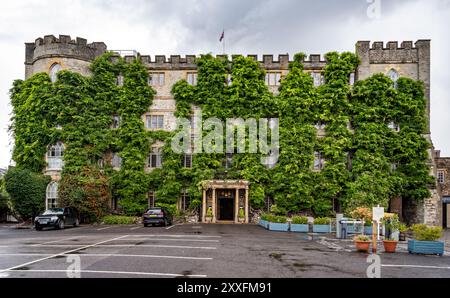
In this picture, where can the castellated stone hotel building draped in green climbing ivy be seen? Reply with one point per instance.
(354, 130)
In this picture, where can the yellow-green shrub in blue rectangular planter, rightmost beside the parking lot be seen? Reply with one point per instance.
(425, 240)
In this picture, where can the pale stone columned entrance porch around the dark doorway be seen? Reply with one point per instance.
(225, 198)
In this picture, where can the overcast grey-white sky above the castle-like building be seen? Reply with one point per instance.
(168, 27)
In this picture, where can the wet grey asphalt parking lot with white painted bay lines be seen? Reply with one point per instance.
(195, 250)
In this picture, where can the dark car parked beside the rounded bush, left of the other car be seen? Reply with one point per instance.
(57, 218)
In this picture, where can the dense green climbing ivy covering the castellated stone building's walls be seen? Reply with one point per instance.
(359, 148)
